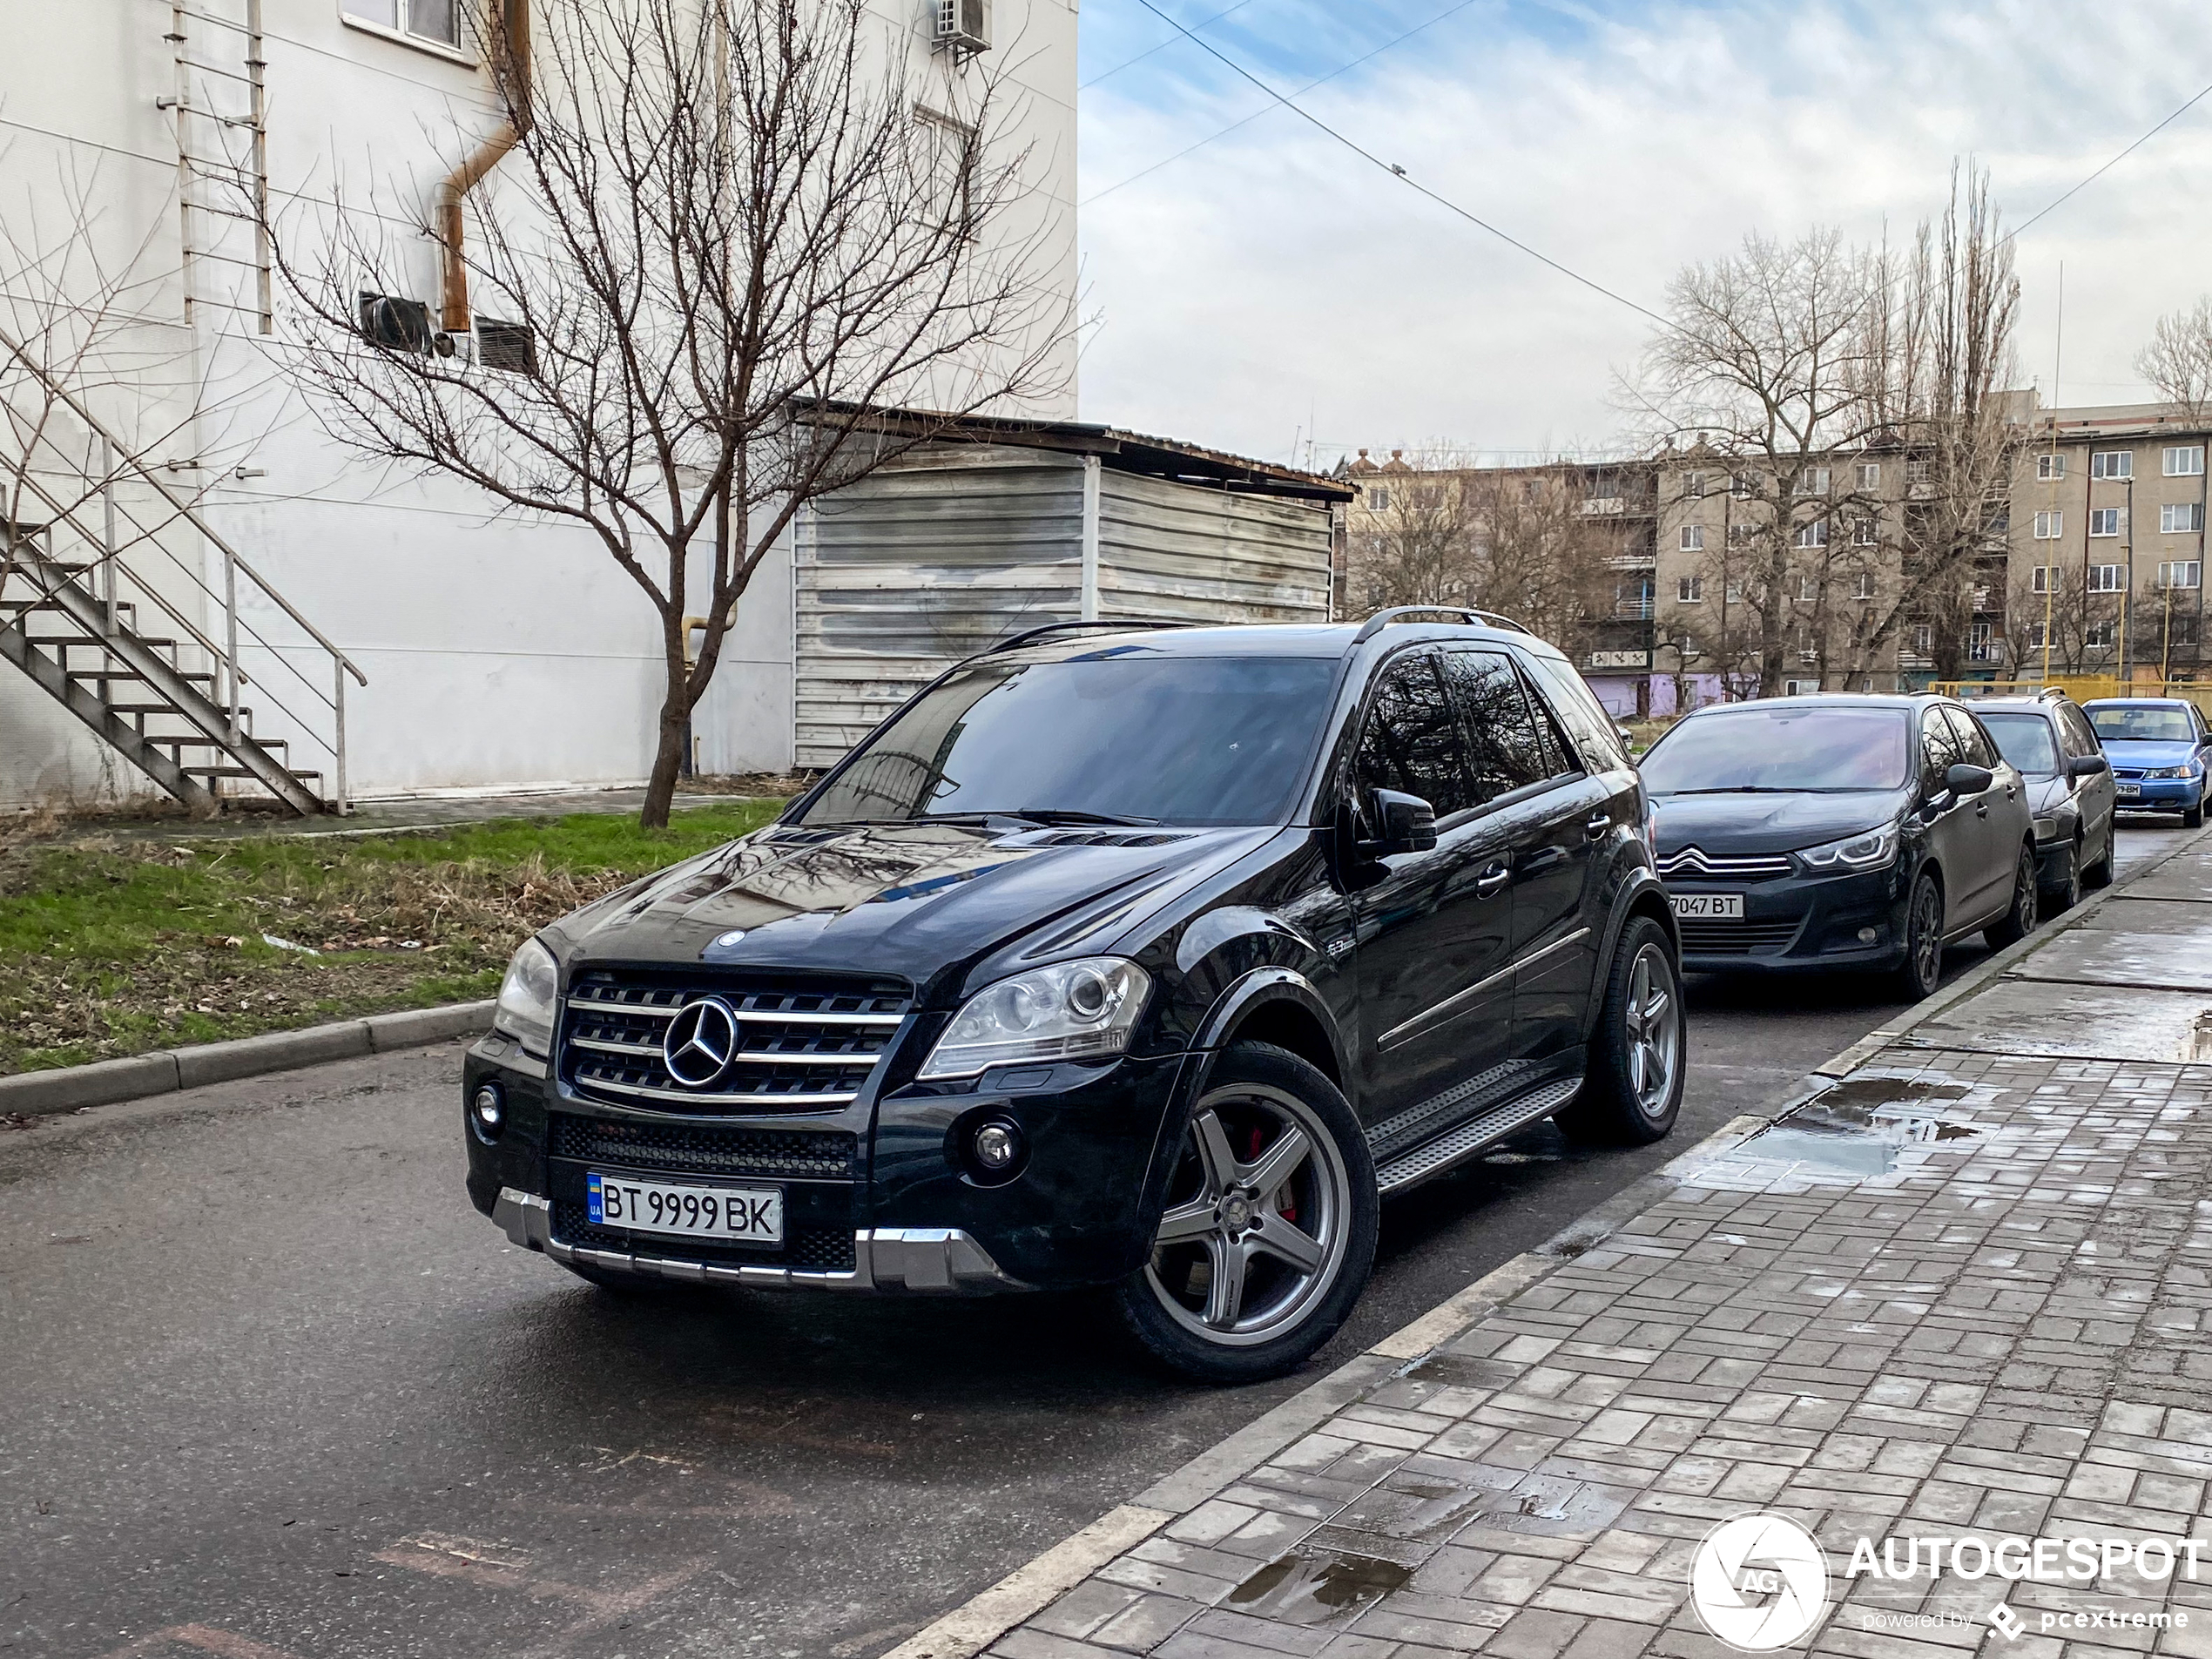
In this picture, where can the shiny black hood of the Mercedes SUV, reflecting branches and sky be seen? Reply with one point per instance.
(926, 901)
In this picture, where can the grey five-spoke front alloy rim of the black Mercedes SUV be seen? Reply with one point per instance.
(1258, 1218)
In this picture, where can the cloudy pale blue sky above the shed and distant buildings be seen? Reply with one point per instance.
(1273, 286)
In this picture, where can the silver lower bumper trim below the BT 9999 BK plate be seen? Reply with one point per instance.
(921, 1260)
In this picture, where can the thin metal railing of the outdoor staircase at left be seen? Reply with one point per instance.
(231, 678)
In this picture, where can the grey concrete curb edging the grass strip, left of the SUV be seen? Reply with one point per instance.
(36, 1094)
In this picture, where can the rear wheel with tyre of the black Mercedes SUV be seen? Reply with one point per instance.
(1631, 1094)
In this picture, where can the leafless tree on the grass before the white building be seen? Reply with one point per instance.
(735, 267)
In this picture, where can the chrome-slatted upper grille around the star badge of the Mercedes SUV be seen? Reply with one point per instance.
(800, 1045)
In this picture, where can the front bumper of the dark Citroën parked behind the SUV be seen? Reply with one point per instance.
(1802, 924)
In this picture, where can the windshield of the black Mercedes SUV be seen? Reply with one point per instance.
(1105, 740)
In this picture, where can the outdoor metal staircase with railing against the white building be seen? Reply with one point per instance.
(156, 654)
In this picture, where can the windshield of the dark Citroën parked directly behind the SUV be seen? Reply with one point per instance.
(1782, 747)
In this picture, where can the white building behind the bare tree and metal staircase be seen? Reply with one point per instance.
(490, 651)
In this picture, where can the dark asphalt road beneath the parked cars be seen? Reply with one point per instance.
(273, 1390)
